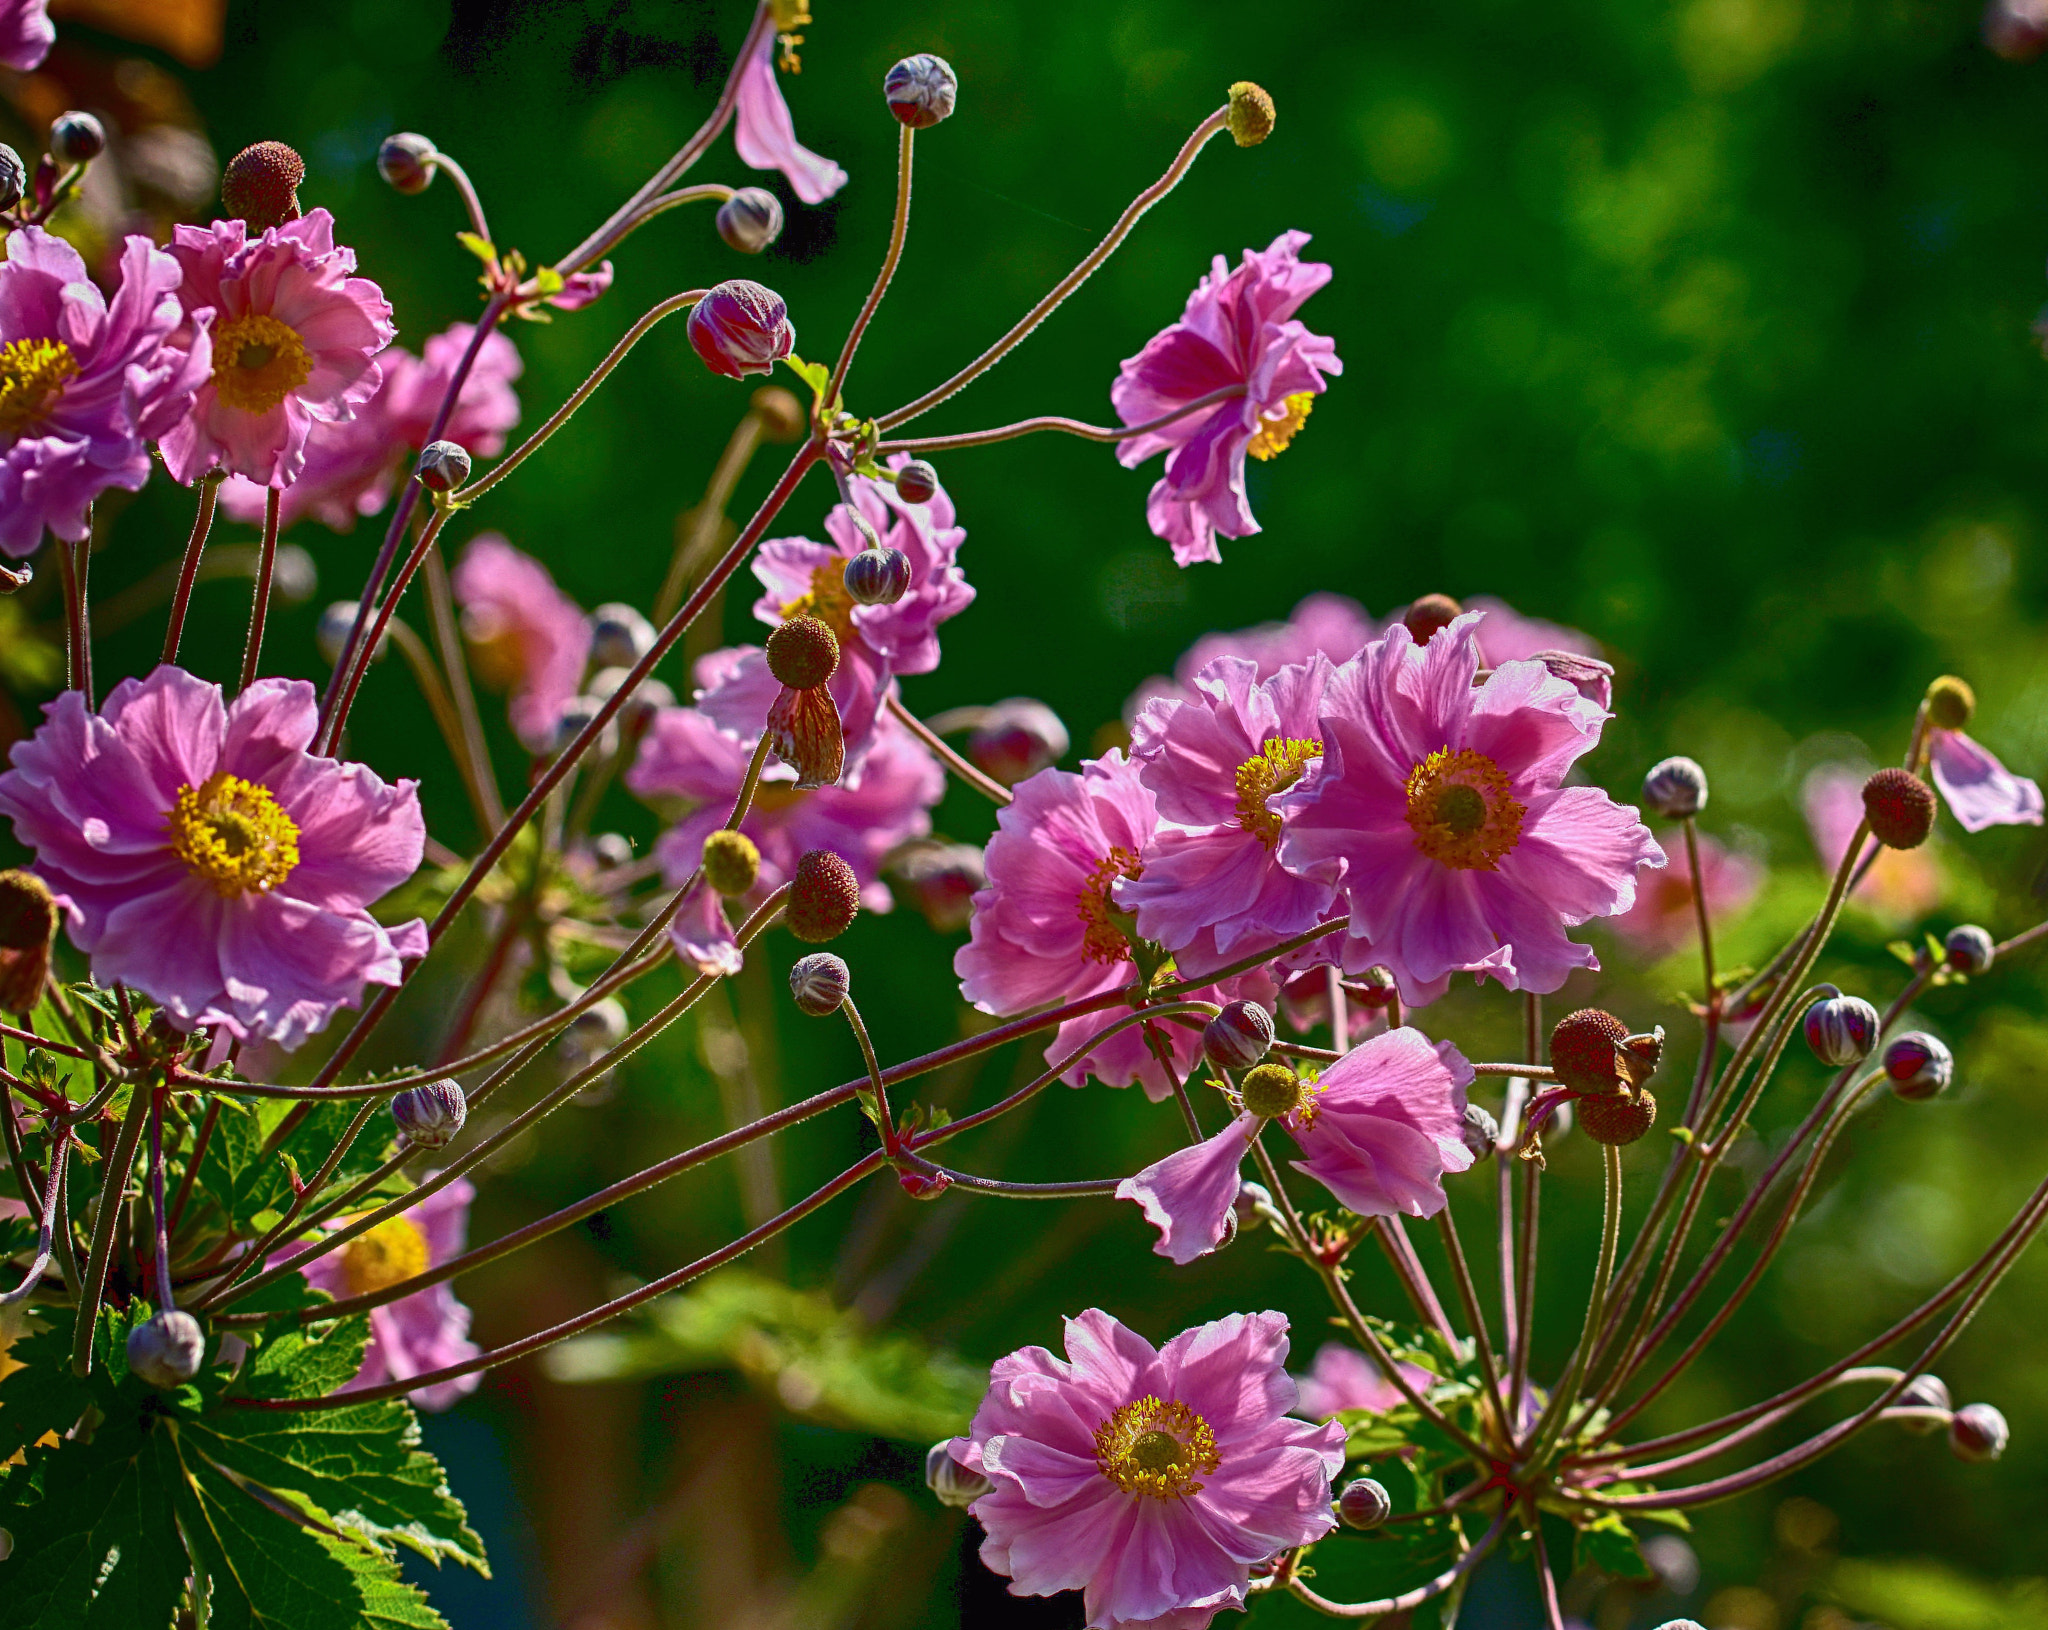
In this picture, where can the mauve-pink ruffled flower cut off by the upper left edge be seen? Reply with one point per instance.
(85, 384)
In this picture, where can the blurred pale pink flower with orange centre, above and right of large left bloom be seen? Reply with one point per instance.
(525, 636)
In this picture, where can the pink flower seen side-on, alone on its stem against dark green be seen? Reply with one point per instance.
(1236, 331)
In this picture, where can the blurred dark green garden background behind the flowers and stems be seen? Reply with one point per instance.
(1703, 327)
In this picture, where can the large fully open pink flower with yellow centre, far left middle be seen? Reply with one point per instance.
(210, 859)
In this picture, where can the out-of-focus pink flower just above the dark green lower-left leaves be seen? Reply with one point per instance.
(423, 1332)
